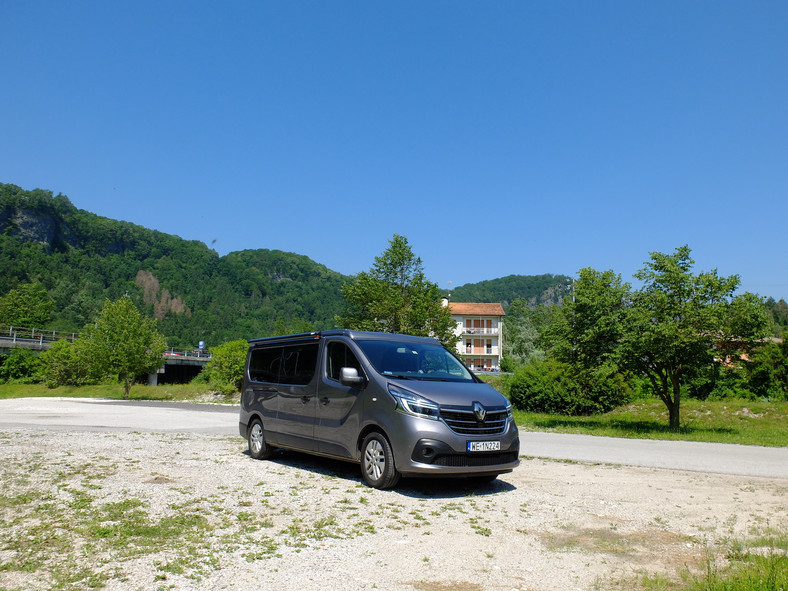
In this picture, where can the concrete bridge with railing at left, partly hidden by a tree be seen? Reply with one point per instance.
(179, 365)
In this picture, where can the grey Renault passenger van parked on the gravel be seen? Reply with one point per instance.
(395, 404)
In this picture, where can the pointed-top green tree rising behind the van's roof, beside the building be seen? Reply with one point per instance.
(394, 296)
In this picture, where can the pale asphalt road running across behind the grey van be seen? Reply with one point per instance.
(163, 417)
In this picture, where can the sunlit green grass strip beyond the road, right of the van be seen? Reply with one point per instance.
(726, 421)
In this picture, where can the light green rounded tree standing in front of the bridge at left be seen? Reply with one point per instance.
(122, 342)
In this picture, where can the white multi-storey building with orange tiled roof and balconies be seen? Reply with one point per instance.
(480, 328)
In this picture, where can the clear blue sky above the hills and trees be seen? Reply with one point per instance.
(499, 137)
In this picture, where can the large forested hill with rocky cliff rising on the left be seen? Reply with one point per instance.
(82, 258)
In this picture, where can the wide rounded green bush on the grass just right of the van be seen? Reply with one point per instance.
(556, 388)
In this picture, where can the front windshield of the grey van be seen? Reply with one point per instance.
(414, 361)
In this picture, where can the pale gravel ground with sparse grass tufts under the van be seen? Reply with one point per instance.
(148, 511)
